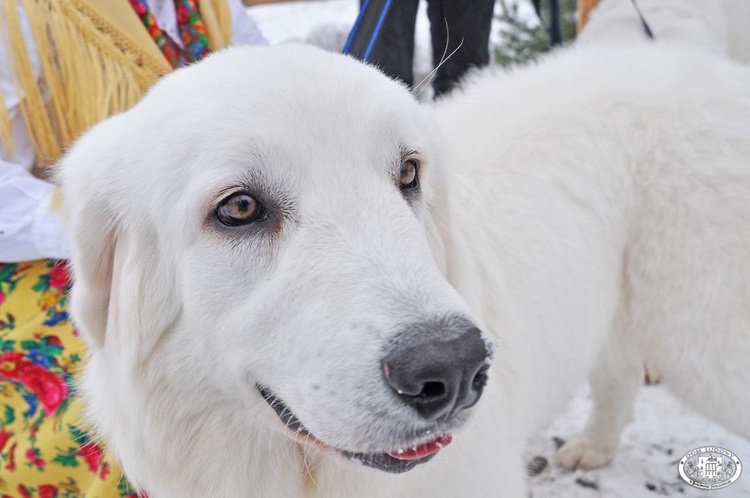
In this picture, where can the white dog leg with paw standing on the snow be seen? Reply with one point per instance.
(614, 384)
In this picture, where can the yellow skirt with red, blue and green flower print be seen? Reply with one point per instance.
(44, 450)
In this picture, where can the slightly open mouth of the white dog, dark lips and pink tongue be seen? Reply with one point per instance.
(395, 461)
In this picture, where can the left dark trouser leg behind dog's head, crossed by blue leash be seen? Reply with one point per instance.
(393, 49)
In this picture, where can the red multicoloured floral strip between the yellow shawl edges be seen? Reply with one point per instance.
(192, 32)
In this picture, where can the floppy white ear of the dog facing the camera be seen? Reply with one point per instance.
(123, 289)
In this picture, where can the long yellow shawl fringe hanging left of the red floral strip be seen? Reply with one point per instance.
(82, 82)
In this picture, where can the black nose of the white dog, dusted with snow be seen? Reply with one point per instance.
(438, 371)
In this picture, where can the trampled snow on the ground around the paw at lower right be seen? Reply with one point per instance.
(663, 431)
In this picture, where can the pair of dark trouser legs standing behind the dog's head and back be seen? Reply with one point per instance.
(451, 22)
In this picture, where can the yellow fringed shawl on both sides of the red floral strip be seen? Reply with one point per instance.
(97, 59)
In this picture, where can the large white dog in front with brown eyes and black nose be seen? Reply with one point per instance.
(283, 234)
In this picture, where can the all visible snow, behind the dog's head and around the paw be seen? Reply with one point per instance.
(663, 430)
